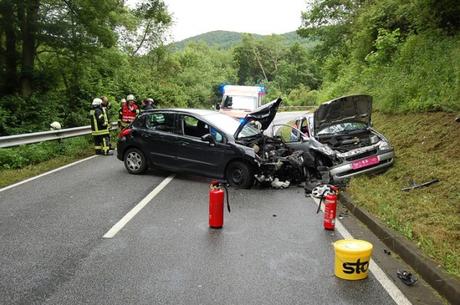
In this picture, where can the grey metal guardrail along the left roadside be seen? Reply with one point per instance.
(36, 137)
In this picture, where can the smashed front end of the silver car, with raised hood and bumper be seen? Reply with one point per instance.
(344, 125)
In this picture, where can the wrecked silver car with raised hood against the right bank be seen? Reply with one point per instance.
(342, 130)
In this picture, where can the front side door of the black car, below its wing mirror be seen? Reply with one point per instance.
(199, 156)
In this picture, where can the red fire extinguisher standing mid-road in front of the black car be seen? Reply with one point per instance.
(216, 204)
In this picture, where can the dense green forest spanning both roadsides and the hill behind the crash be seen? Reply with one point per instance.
(55, 56)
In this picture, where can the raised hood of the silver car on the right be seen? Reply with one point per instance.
(352, 108)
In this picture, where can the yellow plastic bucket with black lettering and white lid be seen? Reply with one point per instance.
(352, 257)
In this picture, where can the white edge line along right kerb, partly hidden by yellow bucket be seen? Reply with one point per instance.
(383, 279)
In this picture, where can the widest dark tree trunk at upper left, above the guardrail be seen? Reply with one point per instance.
(28, 14)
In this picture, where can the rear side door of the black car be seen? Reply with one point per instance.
(159, 138)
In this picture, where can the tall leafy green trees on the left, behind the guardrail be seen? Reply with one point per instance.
(65, 53)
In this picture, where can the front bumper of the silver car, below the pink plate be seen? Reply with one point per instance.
(345, 170)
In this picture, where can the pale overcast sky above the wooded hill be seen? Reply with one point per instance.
(194, 17)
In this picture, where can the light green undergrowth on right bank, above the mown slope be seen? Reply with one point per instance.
(422, 75)
